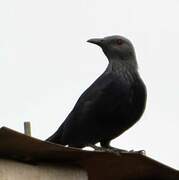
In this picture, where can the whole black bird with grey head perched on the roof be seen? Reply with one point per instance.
(111, 105)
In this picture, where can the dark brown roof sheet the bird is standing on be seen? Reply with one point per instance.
(99, 165)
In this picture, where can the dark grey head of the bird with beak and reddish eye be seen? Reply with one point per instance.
(115, 47)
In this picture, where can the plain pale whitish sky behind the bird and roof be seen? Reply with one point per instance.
(45, 64)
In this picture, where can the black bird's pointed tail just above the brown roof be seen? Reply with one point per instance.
(57, 136)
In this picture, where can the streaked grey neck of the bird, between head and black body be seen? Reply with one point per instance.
(118, 65)
